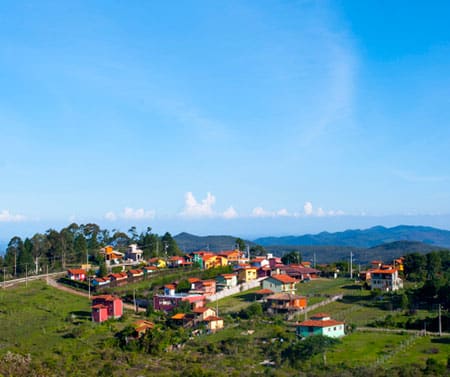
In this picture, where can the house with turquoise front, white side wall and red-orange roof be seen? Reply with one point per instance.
(321, 324)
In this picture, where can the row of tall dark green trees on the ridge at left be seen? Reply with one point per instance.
(76, 244)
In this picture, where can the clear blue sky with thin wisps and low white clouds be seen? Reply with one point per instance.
(244, 117)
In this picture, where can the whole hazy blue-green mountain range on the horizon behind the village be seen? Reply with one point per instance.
(365, 245)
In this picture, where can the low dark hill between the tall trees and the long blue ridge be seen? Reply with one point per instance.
(189, 242)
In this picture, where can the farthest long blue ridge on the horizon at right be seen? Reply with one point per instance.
(364, 238)
